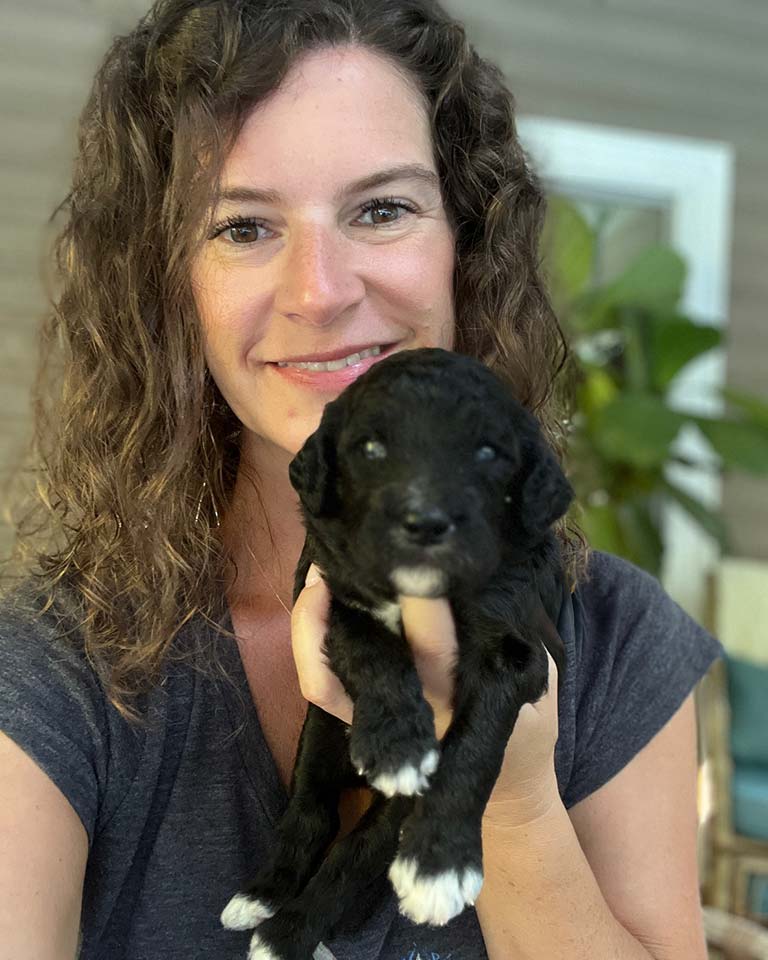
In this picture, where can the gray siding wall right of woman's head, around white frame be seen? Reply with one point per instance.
(691, 67)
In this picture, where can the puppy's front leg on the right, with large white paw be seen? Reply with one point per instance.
(438, 869)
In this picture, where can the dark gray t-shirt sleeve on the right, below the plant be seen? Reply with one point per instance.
(639, 655)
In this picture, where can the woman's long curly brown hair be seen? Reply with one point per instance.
(129, 429)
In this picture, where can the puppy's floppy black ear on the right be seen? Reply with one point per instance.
(546, 493)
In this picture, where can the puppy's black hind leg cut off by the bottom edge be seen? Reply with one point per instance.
(352, 864)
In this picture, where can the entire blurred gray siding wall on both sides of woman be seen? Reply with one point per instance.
(692, 67)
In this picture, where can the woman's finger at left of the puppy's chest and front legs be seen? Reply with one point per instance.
(309, 624)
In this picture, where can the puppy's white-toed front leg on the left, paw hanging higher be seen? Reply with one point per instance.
(392, 738)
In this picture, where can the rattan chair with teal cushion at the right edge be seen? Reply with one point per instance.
(735, 707)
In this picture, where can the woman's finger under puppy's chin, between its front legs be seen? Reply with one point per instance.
(430, 631)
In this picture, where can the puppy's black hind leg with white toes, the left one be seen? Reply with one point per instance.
(307, 827)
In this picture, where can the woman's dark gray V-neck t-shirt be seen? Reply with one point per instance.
(180, 813)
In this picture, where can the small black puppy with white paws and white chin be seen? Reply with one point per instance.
(425, 478)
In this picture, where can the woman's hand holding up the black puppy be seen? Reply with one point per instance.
(526, 787)
